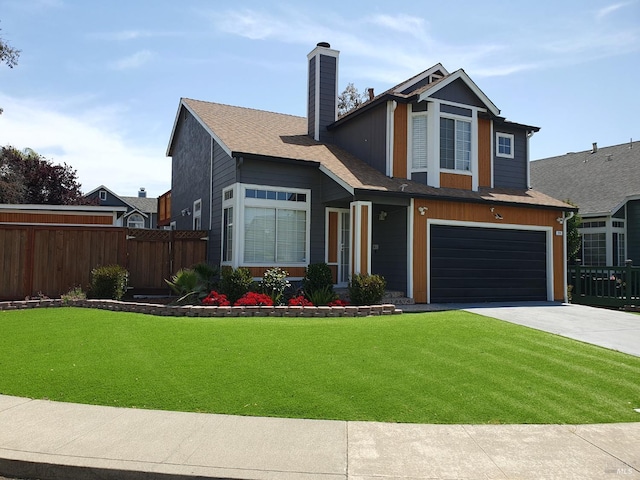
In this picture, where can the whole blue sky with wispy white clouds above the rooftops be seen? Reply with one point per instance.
(98, 82)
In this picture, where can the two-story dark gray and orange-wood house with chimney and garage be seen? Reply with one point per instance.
(425, 184)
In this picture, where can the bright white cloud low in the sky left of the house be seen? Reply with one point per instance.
(89, 141)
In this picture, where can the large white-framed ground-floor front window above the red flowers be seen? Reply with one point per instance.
(274, 225)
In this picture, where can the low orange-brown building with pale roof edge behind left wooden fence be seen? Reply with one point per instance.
(29, 214)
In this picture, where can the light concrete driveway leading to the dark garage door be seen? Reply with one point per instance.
(611, 329)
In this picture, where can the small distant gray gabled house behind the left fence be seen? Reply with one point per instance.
(142, 212)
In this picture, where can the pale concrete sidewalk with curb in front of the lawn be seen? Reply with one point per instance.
(50, 440)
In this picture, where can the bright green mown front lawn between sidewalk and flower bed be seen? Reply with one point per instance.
(447, 367)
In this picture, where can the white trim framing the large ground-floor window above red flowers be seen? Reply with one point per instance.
(239, 202)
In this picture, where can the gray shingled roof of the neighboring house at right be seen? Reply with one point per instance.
(597, 182)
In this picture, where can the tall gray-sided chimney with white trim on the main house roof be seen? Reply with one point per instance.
(322, 107)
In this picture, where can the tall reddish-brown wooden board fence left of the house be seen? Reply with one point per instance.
(53, 259)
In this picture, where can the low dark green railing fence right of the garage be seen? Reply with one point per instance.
(605, 286)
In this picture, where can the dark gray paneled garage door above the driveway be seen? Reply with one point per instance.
(470, 264)
